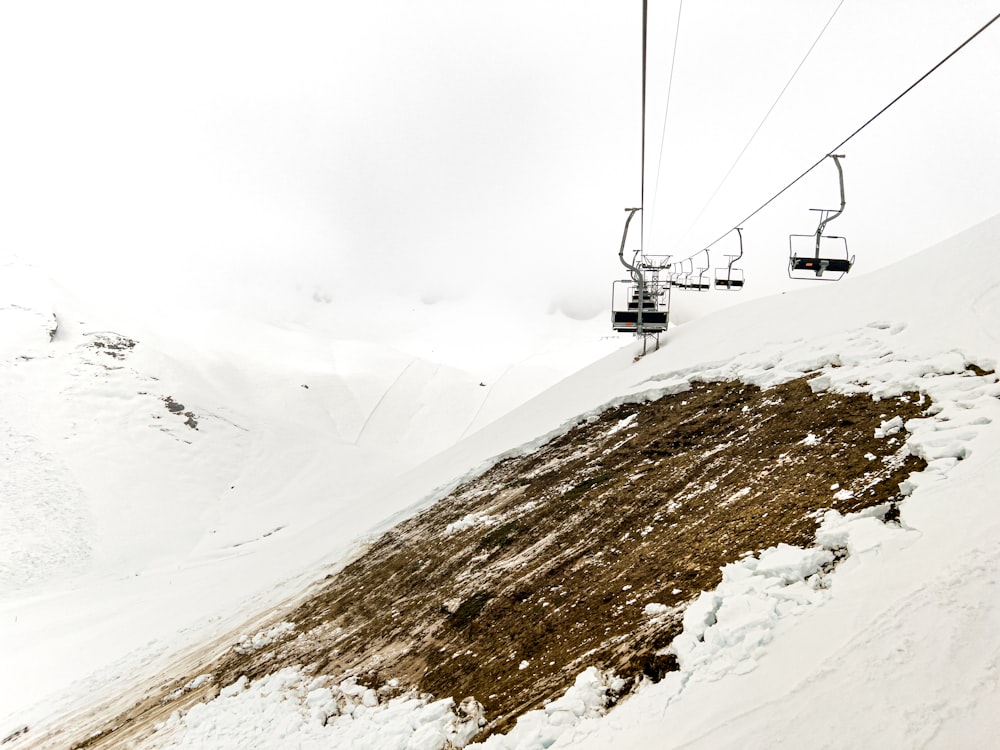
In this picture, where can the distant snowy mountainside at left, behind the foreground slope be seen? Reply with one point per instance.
(158, 473)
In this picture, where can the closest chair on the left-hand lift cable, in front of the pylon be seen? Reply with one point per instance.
(640, 304)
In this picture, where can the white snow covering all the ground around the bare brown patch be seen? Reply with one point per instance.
(898, 645)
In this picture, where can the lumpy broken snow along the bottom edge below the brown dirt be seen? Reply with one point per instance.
(289, 707)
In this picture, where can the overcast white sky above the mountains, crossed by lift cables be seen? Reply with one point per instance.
(439, 149)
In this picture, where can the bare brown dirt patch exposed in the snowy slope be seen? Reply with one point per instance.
(509, 587)
